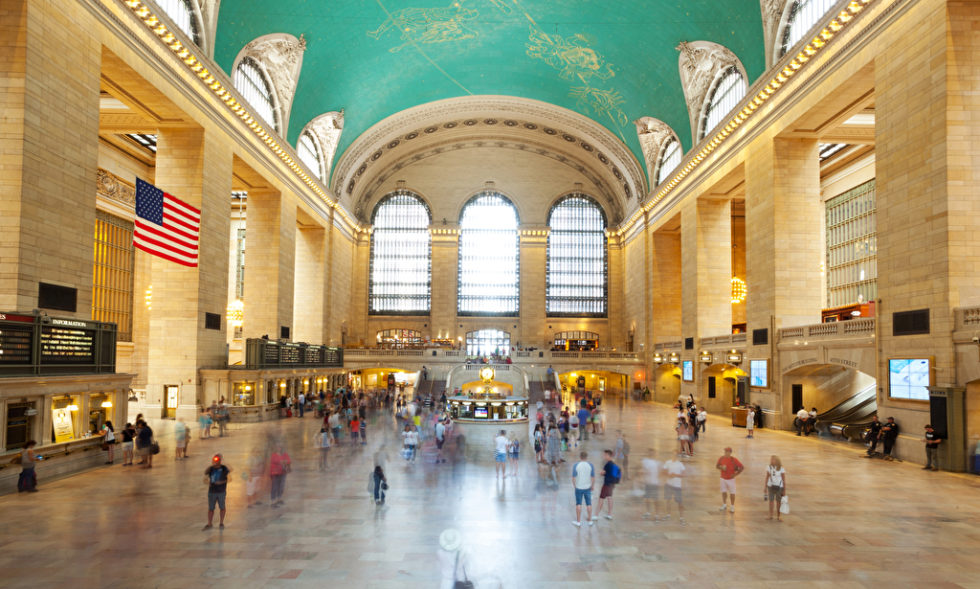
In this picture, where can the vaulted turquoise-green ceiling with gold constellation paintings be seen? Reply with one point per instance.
(610, 60)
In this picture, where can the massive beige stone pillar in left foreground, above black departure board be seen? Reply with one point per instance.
(49, 141)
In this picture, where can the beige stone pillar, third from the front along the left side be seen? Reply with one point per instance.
(270, 255)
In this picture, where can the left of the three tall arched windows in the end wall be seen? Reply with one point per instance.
(401, 256)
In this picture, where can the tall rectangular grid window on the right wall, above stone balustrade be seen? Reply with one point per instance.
(852, 247)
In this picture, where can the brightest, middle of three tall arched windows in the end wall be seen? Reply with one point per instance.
(488, 257)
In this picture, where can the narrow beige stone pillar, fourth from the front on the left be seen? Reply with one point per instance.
(309, 292)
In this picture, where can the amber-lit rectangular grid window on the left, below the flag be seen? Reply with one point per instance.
(112, 276)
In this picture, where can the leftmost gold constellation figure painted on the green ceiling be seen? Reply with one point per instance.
(429, 25)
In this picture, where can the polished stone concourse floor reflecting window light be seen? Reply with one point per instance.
(854, 523)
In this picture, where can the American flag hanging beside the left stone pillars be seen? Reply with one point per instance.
(166, 226)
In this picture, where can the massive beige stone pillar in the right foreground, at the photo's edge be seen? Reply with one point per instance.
(928, 167)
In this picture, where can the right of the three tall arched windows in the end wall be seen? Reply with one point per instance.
(576, 269)
